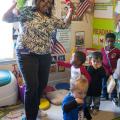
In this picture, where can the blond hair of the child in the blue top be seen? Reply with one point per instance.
(80, 84)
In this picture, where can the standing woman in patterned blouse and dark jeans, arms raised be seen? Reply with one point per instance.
(33, 48)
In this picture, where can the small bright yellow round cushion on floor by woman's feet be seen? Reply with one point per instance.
(44, 104)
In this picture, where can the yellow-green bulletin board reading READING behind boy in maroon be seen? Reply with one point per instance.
(103, 24)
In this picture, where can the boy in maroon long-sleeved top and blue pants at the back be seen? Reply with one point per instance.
(110, 57)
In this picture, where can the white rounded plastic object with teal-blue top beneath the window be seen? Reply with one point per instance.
(8, 88)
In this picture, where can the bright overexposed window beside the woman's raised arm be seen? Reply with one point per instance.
(6, 40)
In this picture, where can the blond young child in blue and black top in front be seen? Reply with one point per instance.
(73, 103)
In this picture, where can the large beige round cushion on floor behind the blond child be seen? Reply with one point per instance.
(56, 97)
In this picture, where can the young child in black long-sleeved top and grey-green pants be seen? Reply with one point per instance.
(97, 72)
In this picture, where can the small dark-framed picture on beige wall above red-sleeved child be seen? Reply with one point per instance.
(79, 38)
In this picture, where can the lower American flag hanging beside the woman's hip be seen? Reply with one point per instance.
(56, 46)
